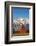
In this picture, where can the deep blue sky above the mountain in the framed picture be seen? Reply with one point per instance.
(20, 13)
